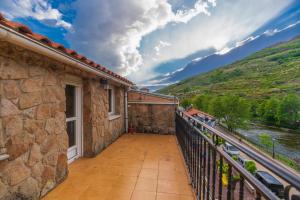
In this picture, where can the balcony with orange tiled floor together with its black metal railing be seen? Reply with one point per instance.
(190, 165)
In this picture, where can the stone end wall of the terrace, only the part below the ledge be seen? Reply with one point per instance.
(152, 118)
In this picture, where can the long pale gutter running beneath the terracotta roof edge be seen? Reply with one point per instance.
(18, 39)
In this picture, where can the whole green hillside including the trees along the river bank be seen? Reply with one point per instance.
(264, 87)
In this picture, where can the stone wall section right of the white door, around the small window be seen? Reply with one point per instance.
(99, 131)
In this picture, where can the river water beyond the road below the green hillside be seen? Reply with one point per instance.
(286, 143)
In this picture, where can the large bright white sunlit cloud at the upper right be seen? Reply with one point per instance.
(229, 22)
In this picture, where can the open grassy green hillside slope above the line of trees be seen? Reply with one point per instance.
(272, 71)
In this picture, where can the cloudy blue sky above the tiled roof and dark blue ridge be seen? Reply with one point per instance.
(136, 37)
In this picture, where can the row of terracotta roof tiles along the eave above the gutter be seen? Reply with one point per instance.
(21, 28)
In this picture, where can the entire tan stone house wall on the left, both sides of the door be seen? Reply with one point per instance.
(33, 122)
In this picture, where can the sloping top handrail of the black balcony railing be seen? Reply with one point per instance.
(279, 170)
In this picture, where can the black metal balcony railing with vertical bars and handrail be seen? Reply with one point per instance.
(214, 174)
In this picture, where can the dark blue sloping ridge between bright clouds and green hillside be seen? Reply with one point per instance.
(245, 48)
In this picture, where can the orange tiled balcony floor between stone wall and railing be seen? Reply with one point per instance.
(135, 167)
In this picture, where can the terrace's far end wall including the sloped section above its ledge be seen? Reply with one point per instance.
(151, 113)
